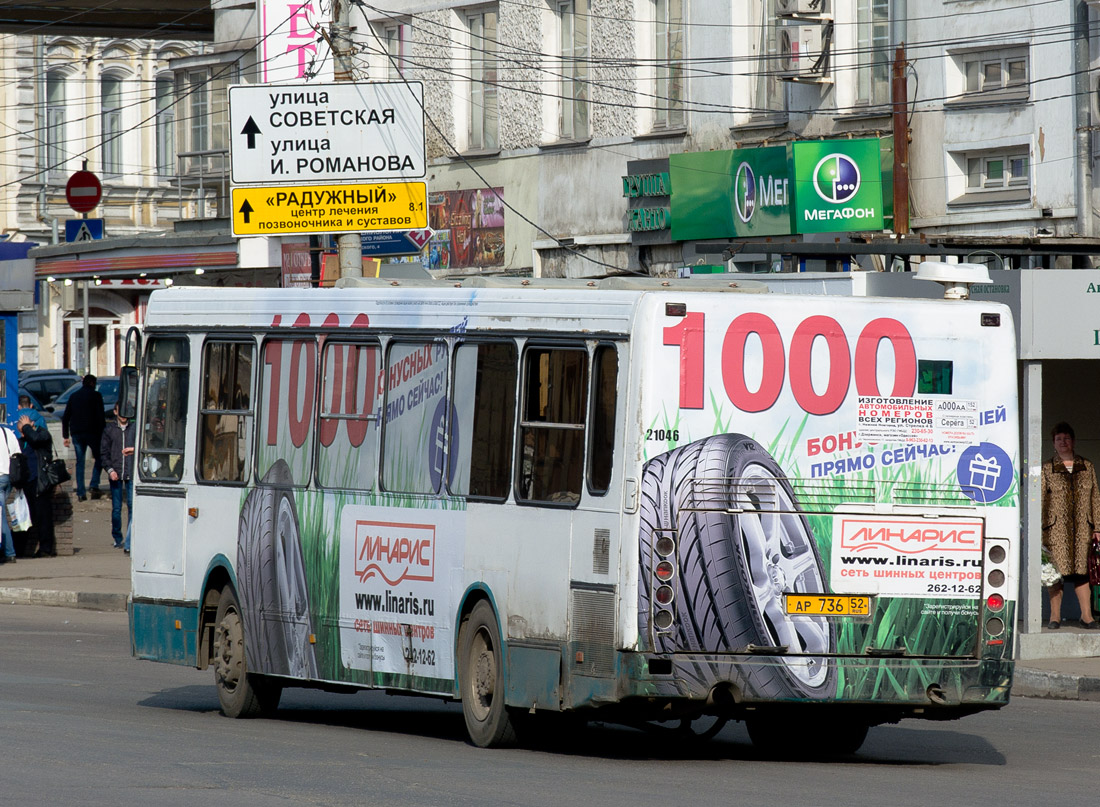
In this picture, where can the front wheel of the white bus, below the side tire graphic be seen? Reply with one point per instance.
(240, 693)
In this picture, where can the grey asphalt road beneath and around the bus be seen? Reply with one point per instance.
(84, 724)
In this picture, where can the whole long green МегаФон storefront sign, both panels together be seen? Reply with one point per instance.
(807, 187)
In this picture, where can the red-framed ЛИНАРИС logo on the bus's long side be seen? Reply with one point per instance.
(395, 552)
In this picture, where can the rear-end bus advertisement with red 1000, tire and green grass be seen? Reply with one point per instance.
(821, 484)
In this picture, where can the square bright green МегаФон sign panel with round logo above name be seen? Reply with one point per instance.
(839, 186)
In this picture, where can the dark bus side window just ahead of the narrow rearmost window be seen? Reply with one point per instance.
(552, 468)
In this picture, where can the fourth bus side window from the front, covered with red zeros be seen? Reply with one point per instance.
(351, 401)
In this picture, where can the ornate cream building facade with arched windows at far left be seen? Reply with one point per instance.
(113, 107)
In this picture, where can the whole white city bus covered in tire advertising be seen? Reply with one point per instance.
(626, 500)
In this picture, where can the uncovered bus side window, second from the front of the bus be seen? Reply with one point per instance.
(226, 428)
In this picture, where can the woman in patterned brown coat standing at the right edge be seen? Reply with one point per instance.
(1071, 521)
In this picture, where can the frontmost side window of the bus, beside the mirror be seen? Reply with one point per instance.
(161, 447)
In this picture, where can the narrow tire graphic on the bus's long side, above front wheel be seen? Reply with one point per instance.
(272, 579)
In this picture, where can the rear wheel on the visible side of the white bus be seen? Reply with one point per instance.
(481, 680)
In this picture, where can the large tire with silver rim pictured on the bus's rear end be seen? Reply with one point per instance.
(742, 545)
